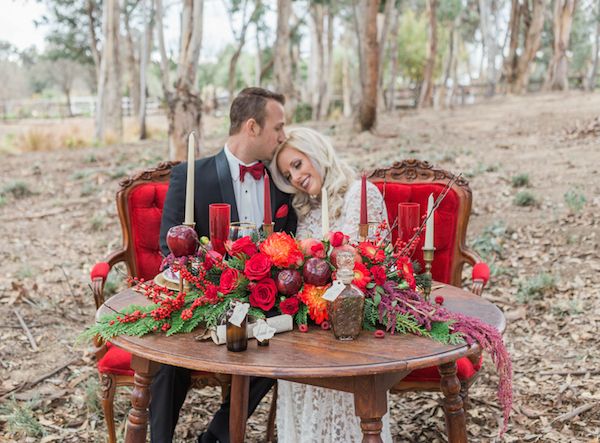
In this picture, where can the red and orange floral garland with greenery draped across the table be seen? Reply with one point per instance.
(280, 273)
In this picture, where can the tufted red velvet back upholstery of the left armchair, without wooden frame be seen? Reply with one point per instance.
(145, 210)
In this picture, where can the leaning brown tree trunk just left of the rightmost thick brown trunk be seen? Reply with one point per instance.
(532, 43)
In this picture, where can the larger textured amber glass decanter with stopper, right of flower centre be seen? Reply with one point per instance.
(346, 311)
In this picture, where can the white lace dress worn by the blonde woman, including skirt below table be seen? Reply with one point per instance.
(310, 414)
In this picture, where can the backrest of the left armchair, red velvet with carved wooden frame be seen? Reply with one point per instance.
(139, 204)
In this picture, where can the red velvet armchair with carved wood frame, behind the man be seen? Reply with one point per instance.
(140, 201)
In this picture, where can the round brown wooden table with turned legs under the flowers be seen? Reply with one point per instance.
(367, 367)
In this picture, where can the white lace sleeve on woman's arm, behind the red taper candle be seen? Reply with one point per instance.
(375, 207)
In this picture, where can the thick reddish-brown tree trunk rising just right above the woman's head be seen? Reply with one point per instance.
(369, 51)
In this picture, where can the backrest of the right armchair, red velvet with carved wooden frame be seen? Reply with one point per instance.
(413, 181)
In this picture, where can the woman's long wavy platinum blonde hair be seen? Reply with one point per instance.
(336, 174)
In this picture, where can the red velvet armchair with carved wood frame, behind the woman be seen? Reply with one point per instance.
(413, 181)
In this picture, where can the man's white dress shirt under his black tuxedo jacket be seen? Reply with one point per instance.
(249, 194)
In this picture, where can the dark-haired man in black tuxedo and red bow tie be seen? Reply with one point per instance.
(235, 176)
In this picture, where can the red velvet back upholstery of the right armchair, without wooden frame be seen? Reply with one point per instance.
(445, 219)
